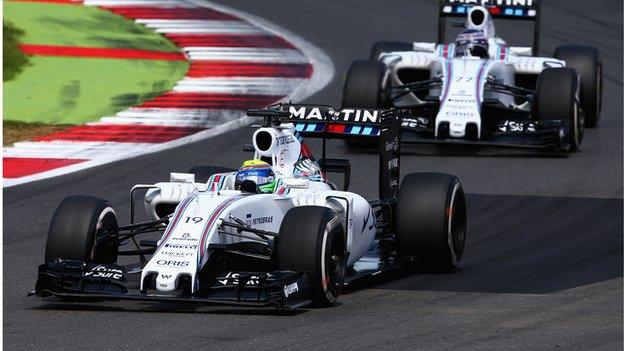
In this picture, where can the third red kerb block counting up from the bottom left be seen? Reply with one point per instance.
(210, 101)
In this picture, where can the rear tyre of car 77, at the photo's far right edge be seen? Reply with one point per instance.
(587, 62)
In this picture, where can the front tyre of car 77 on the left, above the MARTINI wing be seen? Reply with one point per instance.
(363, 88)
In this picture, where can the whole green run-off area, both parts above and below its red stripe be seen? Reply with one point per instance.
(66, 90)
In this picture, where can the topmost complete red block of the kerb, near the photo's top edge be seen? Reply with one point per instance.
(152, 12)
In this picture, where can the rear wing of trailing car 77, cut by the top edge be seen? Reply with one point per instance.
(522, 10)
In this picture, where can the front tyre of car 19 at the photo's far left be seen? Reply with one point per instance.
(83, 228)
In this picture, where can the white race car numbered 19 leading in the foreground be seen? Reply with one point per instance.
(276, 232)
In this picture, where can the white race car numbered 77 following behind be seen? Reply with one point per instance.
(480, 91)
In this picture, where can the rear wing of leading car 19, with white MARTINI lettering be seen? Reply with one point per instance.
(382, 127)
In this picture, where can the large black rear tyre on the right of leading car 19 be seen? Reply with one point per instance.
(431, 220)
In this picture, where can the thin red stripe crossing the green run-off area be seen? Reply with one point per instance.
(55, 50)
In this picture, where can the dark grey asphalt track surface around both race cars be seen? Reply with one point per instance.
(543, 263)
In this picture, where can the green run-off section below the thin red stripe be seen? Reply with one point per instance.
(63, 90)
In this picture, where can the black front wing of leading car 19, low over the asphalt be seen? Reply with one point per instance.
(76, 280)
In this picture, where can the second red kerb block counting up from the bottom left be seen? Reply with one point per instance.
(125, 133)
